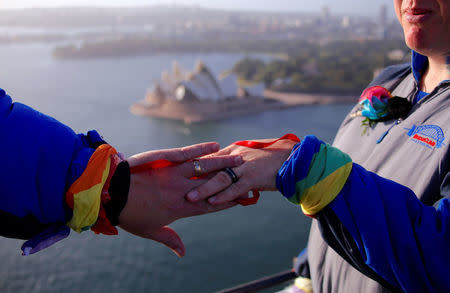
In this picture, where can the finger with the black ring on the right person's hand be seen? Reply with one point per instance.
(216, 184)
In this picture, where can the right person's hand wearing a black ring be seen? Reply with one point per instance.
(258, 172)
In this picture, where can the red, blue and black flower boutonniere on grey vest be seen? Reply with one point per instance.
(377, 104)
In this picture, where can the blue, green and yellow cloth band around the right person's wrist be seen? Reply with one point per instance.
(313, 175)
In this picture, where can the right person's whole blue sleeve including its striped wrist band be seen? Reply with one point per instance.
(377, 225)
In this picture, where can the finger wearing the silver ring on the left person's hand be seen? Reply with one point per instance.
(211, 164)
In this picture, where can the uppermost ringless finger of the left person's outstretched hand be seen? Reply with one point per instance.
(175, 155)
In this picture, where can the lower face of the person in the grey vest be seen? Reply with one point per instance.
(426, 25)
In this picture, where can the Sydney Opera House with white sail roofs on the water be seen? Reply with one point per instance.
(200, 96)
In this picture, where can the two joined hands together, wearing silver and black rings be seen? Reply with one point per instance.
(159, 197)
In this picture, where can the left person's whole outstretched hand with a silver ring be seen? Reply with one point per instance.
(157, 197)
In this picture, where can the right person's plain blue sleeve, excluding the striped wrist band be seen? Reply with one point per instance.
(381, 226)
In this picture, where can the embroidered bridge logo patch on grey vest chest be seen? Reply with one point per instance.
(430, 136)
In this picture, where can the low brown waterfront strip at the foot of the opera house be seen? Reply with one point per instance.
(204, 111)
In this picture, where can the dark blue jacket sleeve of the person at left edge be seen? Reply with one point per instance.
(41, 159)
